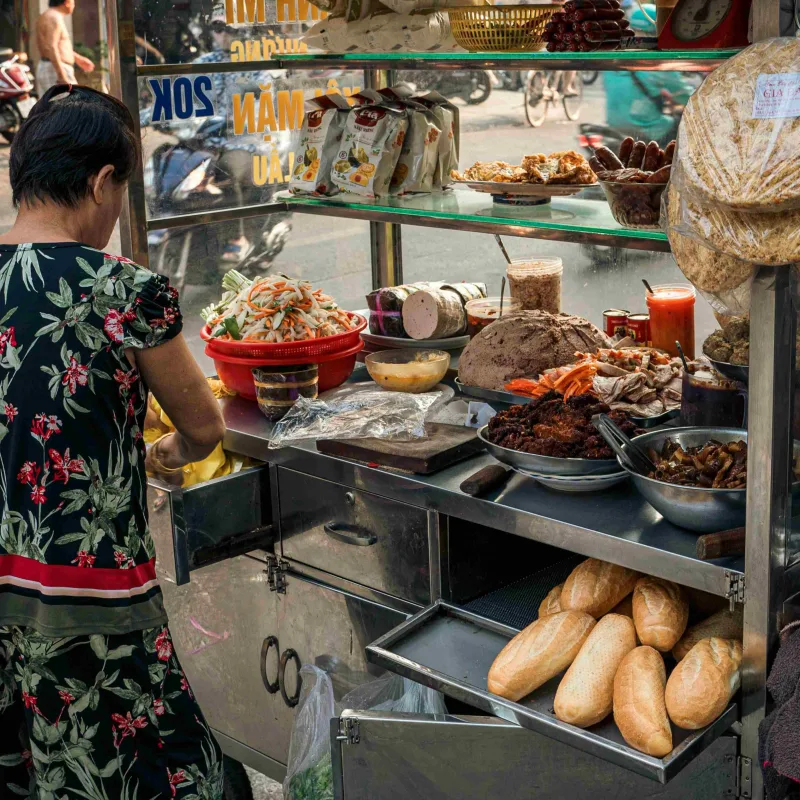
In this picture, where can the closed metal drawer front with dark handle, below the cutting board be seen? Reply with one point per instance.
(360, 536)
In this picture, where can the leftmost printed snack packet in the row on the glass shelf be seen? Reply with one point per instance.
(320, 139)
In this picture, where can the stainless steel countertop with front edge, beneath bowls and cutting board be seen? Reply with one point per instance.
(617, 525)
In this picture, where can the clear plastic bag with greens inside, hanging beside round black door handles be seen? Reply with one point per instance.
(309, 775)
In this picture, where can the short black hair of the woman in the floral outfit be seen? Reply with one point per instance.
(69, 136)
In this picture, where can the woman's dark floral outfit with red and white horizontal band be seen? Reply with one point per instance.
(93, 700)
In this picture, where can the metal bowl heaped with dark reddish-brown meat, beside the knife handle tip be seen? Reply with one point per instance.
(553, 436)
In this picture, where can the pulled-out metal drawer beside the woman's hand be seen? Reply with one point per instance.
(211, 521)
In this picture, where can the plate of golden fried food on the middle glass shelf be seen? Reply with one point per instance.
(536, 180)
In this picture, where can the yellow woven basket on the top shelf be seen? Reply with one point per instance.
(492, 29)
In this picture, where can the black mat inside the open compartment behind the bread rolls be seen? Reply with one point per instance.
(517, 604)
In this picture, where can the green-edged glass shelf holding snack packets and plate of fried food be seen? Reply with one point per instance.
(575, 219)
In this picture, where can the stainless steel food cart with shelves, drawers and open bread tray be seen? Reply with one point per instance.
(315, 559)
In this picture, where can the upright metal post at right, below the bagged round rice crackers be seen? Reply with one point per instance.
(769, 461)
